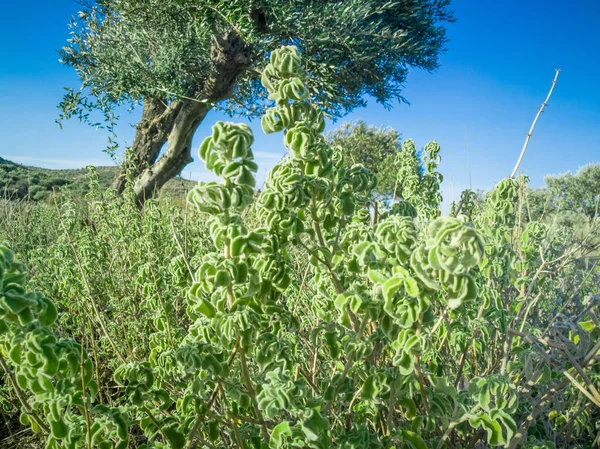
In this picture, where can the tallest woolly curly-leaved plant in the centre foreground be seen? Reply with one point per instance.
(364, 275)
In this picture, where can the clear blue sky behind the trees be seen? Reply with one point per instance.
(497, 71)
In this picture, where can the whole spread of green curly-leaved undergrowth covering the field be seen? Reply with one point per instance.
(301, 316)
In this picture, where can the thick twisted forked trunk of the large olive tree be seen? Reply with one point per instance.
(175, 123)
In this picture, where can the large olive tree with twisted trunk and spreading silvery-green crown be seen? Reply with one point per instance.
(180, 59)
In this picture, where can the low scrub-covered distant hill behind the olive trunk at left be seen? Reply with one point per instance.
(22, 182)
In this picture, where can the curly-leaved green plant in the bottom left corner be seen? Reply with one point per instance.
(56, 373)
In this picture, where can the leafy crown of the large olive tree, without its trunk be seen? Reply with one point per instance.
(129, 50)
